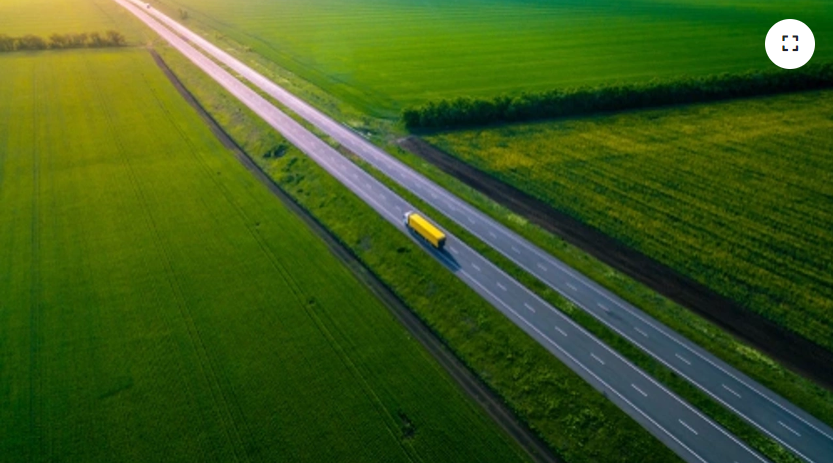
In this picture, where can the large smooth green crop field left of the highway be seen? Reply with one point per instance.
(158, 304)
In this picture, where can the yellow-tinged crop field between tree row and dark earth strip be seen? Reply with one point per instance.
(737, 195)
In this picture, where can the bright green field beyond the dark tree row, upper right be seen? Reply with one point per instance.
(381, 55)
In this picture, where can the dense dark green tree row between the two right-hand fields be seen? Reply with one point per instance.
(467, 112)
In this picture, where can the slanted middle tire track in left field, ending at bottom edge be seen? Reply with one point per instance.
(197, 344)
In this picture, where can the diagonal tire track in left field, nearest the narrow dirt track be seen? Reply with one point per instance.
(384, 413)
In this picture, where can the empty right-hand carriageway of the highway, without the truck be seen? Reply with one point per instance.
(797, 430)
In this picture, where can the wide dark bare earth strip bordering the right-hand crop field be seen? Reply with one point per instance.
(788, 348)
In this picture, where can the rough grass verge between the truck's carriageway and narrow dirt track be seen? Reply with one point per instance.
(578, 422)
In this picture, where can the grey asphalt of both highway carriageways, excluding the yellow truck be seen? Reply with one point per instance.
(681, 427)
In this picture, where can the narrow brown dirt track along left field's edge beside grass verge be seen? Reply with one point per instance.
(535, 447)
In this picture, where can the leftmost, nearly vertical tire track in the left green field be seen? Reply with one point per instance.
(35, 378)
